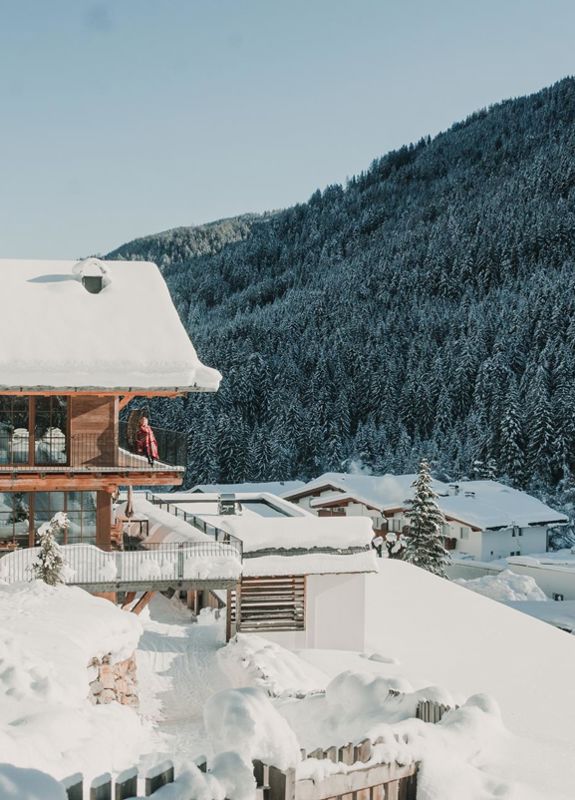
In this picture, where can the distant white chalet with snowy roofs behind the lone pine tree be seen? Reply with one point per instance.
(485, 520)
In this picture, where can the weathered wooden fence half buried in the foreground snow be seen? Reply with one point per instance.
(364, 778)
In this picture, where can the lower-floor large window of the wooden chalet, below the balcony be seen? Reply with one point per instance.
(22, 514)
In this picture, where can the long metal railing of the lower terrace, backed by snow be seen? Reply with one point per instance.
(88, 565)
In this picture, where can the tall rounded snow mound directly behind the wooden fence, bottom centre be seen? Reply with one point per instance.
(245, 721)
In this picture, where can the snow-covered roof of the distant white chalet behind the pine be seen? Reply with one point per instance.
(480, 504)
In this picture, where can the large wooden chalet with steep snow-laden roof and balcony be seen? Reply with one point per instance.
(96, 336)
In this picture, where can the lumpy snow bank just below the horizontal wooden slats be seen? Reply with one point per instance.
(252, 660)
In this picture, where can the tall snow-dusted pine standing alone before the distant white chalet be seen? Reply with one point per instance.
(423, 546)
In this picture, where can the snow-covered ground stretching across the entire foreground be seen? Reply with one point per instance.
(428, 638)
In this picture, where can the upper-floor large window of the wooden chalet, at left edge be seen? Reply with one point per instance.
(33, 430)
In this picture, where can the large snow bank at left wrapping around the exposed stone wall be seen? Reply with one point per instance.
(48, 635)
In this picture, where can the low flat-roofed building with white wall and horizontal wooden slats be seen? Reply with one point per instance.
(303, 578)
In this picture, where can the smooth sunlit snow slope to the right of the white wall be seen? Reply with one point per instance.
(444, 634)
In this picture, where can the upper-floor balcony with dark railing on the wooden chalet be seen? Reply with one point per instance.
(53, 452)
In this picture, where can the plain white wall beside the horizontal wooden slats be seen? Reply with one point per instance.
(335, 615)
